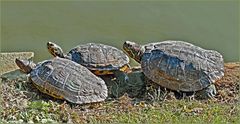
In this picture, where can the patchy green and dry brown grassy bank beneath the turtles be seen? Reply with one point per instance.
(21, 103)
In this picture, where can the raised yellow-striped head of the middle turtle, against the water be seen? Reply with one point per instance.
(55, 50)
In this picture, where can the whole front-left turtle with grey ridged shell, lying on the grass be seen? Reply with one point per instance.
(64, 79)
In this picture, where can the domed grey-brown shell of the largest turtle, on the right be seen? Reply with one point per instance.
(181, 66)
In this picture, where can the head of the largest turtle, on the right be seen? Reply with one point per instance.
(133, 50)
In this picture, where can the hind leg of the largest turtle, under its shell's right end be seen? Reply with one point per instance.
(206, 93)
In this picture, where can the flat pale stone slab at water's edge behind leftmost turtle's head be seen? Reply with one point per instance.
(7, 60)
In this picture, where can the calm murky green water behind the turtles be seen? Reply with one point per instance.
(27, 26)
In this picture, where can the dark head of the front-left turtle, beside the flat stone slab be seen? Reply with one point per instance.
(25, 66)
